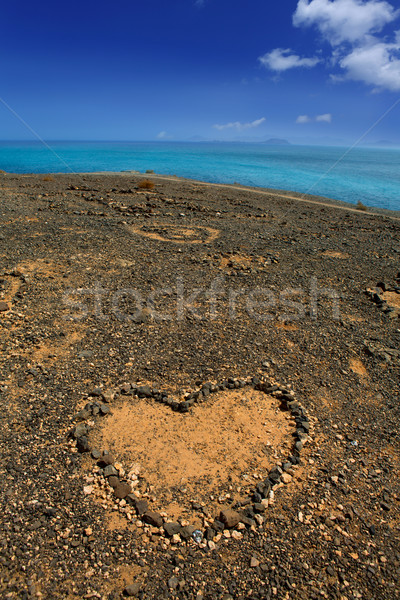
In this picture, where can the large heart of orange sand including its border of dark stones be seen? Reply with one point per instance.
(216, 455)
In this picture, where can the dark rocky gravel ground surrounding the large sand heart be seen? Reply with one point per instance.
(106, 285)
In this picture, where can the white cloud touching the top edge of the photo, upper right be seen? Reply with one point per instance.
(344, 20)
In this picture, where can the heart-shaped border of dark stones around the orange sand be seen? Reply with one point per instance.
(228, 518)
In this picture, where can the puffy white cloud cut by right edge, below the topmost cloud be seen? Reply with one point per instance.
(377, 64)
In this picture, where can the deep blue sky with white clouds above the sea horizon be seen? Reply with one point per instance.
(323, 70)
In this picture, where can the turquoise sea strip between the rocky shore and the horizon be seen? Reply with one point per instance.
(371, 175)
